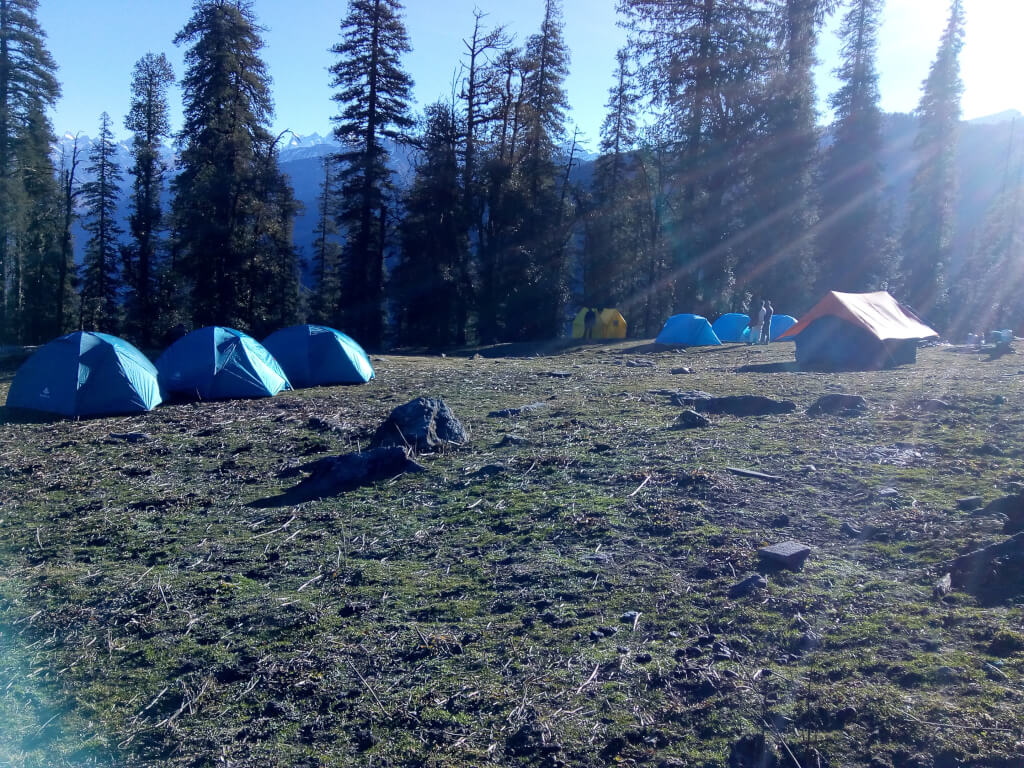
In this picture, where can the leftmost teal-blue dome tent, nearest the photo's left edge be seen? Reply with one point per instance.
(87, 374)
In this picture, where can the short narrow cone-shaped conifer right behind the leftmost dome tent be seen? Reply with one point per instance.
(101, 307)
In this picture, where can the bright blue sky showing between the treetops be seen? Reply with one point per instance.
(97, 46)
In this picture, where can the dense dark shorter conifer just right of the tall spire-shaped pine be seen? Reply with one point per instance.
(432, 279)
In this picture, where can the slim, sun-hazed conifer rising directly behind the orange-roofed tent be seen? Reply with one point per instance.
(928, 235)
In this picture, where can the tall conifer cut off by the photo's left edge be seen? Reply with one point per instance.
(29, 203)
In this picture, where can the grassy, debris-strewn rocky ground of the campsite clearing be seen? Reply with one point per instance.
(579, 584)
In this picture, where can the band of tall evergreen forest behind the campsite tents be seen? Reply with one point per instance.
(716, 185)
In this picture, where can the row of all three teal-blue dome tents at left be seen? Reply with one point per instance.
(95, 374)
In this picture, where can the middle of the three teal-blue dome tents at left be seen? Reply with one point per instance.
(217, 363)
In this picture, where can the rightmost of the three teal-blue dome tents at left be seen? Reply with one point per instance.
(317, 356)
